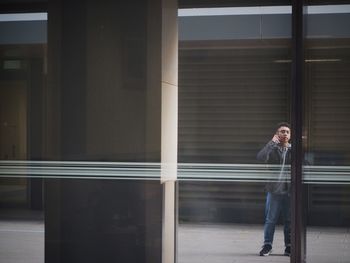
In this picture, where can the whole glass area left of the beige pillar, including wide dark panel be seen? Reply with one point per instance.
(85, 100)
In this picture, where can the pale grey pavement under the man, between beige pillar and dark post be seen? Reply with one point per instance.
(225, 244)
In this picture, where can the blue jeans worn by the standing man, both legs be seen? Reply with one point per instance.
(275, 205)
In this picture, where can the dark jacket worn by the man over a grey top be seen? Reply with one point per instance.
(272, 153)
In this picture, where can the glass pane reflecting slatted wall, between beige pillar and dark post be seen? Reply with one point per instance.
(234, 81)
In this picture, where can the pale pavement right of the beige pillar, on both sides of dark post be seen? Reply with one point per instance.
(241, 243)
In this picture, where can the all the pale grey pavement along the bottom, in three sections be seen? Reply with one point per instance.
(23, 242)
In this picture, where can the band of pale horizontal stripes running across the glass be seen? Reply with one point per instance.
(152, 171)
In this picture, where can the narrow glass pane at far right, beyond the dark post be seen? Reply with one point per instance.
(327, 141)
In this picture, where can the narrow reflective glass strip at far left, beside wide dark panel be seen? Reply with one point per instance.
(22, 83)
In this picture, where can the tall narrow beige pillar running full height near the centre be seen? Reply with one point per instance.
(169, 125)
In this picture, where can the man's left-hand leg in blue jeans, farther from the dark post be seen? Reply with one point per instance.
(272, 211)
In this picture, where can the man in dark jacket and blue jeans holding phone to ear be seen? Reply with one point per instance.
(277, 151)
